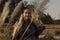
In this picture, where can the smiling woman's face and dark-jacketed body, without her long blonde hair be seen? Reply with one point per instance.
(32, 30)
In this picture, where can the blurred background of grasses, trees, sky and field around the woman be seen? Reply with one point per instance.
(48, 11)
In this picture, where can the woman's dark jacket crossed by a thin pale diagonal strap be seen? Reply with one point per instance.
(31, 33)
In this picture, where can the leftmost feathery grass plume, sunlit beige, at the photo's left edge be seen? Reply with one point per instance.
(4, 13)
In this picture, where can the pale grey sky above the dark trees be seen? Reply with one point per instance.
(53, 8)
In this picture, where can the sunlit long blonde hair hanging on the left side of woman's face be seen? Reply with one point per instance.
(17, 26)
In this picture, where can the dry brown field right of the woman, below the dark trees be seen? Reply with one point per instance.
(52, 32)
